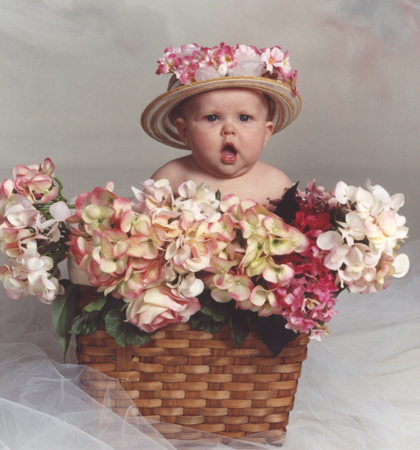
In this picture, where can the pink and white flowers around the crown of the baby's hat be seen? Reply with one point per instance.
(192, 63)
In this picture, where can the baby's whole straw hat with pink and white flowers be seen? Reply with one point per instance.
(197, 69)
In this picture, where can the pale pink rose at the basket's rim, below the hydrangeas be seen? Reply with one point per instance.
(159, 306)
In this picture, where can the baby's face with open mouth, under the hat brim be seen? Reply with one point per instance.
(226, 130)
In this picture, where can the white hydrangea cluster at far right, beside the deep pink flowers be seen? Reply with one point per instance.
(362, 247)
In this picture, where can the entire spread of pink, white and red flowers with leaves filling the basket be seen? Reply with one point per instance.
(161, 259)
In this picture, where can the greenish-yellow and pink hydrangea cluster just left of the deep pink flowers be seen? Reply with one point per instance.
(247, 269)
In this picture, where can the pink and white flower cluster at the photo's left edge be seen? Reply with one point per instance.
(33, 232)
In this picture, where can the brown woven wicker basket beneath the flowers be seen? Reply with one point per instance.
(196, 379)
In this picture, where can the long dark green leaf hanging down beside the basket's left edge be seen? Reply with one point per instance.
(63, 312)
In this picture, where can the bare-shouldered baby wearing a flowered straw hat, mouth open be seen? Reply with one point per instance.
(225, 121)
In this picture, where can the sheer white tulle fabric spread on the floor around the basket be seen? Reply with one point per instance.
(359, 389)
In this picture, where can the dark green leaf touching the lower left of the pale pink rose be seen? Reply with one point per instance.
(123, 332)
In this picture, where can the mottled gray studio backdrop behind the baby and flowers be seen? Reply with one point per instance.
(75, 76)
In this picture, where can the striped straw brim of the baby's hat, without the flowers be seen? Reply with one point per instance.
(156, 122)
